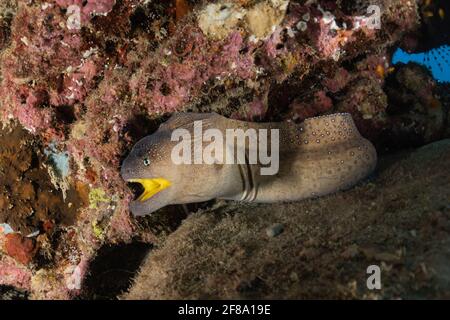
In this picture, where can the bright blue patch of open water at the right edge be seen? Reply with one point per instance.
(436, 60)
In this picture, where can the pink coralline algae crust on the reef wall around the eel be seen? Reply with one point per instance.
(97, 89)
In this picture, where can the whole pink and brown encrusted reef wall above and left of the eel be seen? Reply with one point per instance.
(89, 78)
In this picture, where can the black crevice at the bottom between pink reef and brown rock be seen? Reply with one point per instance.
(113, 269)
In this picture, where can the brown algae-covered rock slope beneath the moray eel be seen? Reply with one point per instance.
(400, 222)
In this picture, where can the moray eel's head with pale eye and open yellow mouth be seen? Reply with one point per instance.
(149, 167)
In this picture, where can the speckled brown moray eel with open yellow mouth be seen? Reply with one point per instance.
(320, 156)
